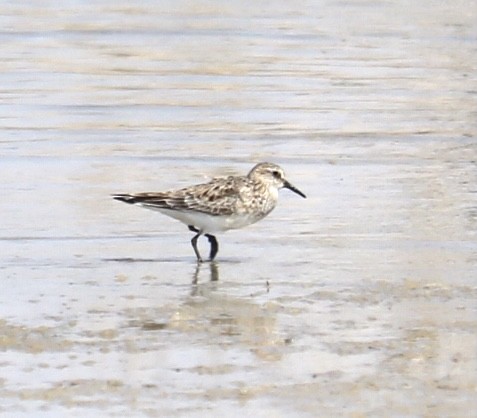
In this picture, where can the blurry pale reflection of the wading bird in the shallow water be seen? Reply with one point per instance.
(228, 316)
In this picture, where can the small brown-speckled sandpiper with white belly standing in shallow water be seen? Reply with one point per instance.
(223, 203)
